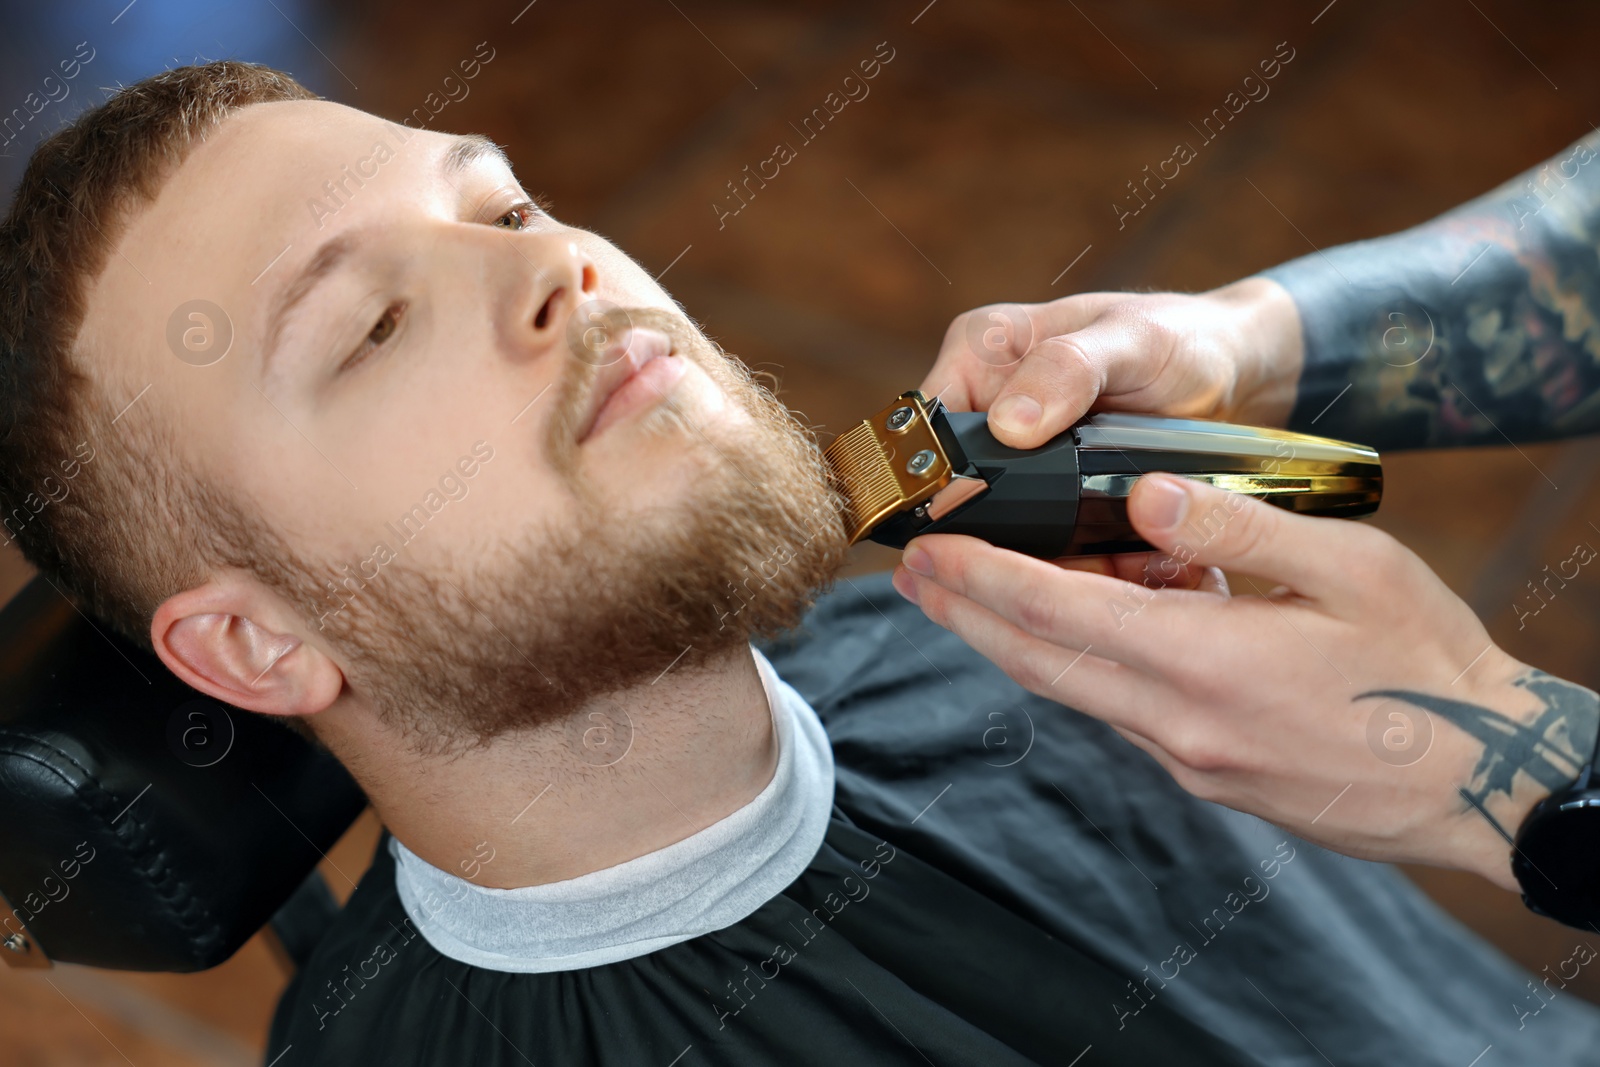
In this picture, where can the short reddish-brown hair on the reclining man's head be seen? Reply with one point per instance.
(97, 502)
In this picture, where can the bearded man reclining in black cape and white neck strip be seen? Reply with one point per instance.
(385, 450)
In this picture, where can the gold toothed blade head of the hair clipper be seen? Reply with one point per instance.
(890, 463)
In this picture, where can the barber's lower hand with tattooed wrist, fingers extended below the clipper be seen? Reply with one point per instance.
(1337, 705)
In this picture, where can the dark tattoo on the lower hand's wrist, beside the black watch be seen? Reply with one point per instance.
(1546, 748)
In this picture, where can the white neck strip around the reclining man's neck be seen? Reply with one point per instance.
(689, 889)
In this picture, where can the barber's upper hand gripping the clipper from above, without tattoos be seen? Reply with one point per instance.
(1233, 354)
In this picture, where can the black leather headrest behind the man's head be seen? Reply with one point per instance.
(145, 826)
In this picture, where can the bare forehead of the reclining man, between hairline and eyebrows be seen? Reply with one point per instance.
(262, 193)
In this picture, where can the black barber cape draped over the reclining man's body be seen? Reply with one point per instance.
(1004, 882)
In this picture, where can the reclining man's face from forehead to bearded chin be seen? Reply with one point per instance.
(410, 406)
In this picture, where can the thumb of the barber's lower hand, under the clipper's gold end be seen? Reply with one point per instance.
(1202, 526)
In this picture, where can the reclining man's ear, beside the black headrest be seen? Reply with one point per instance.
(234, 641)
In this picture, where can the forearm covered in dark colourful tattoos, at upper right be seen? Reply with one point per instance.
(1476, 329)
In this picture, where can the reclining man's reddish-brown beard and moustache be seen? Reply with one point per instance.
(569, 613)
